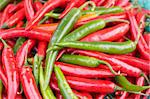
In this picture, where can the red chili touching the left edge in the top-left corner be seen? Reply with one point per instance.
(6, 14)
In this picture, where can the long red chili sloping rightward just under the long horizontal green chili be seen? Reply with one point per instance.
(125, 68)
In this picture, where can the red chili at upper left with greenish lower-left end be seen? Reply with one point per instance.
(18, 16)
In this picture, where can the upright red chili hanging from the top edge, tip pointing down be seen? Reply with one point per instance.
(29, 11)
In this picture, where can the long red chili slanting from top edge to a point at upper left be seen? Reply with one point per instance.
(50, 5)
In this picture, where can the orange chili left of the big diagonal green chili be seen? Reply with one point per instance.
(47, 27)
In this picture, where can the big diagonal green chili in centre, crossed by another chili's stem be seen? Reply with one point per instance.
(63, 28)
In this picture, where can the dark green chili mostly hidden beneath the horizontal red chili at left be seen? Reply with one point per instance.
(19, 42)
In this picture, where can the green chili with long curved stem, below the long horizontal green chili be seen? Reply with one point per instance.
(85, 61)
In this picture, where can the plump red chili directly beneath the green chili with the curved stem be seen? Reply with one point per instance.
(85, 72)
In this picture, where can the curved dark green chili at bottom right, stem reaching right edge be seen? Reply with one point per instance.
(129, 86)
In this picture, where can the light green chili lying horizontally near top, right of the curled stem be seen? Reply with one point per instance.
(103, 10)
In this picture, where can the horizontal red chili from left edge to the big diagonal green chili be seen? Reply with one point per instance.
(20, 32)
